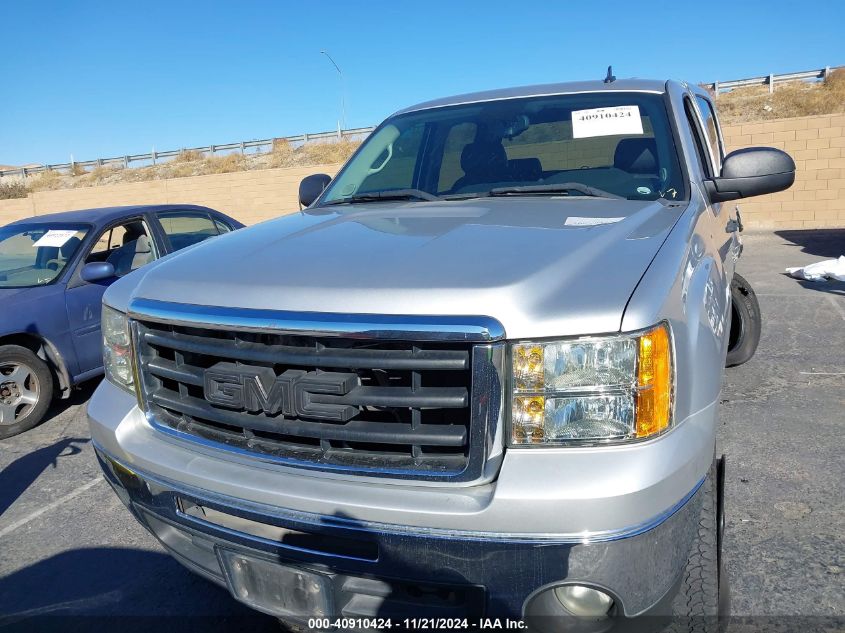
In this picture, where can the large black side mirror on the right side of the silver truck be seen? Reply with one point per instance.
(752, 172)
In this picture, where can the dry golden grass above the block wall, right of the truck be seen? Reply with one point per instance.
(792, 99)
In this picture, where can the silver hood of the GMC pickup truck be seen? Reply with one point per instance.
(541, 266)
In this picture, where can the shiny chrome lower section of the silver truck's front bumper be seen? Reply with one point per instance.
(378, 570)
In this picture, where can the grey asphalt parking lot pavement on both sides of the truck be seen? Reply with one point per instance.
(68, 546)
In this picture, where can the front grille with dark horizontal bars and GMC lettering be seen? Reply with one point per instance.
(370, 405)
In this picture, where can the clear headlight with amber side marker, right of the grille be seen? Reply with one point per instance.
(593, 389)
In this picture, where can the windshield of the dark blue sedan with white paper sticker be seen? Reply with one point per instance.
(36, 254)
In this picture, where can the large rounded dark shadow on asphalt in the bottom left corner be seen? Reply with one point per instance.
(119, 589)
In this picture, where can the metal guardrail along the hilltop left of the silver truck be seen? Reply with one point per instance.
(242, 147)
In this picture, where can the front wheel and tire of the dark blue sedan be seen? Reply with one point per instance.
(26, 390)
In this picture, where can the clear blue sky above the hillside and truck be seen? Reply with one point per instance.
(102, 79)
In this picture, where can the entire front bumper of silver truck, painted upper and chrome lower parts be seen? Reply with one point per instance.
(622, 519)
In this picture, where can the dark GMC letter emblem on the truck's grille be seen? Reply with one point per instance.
(260, 389)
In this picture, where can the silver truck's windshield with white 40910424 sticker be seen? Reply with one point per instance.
(613, 144)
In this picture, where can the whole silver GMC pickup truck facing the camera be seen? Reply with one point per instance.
(477, 376)
